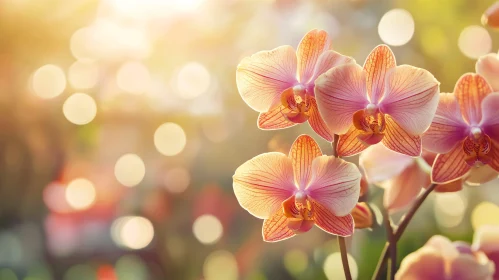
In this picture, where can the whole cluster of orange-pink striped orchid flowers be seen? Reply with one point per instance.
(408, 134)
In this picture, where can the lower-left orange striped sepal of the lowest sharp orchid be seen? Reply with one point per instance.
(275, 228)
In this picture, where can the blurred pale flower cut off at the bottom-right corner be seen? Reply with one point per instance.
(486, 240)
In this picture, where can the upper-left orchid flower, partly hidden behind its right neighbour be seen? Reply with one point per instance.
(280, 83)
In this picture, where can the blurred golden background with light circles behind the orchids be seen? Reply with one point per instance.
(121, 127)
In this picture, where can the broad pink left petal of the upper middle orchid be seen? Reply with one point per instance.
(340, 92)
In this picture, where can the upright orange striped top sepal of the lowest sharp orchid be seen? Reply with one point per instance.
(303, 151)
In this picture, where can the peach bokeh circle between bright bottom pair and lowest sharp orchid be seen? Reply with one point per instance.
(207, 229)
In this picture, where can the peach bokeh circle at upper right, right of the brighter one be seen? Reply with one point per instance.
(474, 41)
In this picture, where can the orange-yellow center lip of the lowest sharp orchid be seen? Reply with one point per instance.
(300, 212)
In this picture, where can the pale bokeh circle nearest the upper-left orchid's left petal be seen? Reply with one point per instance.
(193, 79)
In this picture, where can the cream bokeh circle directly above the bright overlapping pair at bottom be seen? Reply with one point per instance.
(129, 170)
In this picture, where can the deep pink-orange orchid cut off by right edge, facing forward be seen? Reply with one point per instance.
(465, 131)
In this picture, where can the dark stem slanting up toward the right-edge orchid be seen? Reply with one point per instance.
(400, 230)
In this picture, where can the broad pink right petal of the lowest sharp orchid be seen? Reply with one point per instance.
(335, 184)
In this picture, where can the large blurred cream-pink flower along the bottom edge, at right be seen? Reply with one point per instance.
(440, 258)
